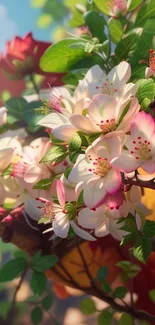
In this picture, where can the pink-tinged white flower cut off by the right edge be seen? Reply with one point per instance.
(140, 145)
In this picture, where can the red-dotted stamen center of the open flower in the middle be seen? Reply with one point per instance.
(101, 166)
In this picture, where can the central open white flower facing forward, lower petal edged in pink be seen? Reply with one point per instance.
(95, 170)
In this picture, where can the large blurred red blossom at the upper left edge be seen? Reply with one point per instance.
(22, 57)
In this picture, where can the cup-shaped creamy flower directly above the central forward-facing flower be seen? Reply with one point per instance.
(104, 114)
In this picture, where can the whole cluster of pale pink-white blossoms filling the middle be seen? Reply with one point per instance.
(72, 180)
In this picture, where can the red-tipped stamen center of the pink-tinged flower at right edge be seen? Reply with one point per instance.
(142, 149)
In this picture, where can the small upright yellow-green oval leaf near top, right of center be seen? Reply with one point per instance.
(115, 30)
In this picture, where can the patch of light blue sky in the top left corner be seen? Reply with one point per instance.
(17, 17)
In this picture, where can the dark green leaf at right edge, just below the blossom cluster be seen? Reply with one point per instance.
(142, 248)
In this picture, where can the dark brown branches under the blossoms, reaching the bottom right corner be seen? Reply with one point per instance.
(14, 228)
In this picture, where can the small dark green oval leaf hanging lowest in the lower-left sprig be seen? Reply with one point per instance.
(38, 283)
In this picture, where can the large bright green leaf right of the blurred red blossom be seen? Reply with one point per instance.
(59, 57)
